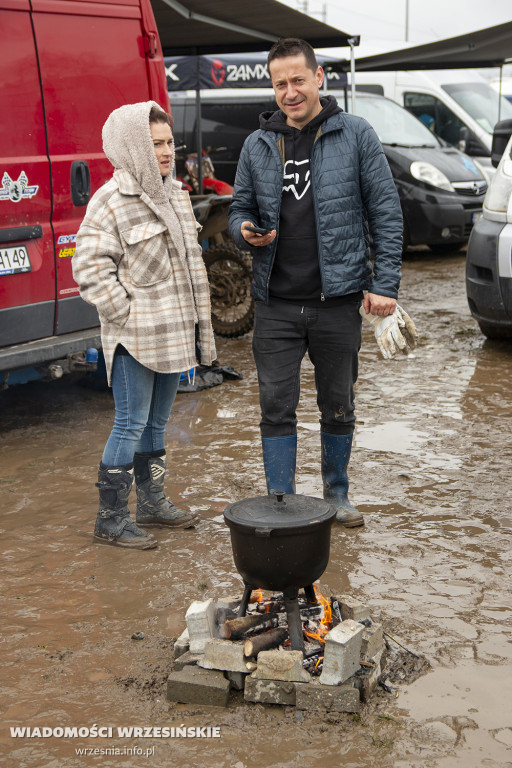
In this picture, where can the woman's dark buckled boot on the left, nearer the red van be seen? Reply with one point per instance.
(113, 523)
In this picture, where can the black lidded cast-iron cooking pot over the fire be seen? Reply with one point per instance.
(280, 541)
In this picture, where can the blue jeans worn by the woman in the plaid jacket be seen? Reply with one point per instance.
(143, 401)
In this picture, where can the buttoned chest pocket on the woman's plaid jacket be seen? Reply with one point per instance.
(147, 253)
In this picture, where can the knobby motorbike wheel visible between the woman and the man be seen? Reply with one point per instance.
(229, 273)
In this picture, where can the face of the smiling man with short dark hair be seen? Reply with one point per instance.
(297, 89)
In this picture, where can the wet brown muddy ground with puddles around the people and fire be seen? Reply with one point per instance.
(430, 470)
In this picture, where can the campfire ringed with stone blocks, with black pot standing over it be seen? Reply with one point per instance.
(279, 645)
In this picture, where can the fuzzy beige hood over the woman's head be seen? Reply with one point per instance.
(128, 145)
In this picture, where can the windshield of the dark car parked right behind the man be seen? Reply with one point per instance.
(392, 123)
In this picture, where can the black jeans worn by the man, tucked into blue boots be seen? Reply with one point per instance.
(331, 335)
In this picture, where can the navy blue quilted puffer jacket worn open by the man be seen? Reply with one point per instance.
(353, 189)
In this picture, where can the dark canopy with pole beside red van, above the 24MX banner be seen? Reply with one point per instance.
(198, 27)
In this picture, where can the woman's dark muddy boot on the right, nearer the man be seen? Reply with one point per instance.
(153, 508)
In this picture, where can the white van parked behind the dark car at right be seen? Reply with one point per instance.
(446, 101)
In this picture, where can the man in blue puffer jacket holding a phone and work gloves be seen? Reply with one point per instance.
(317, 181)
